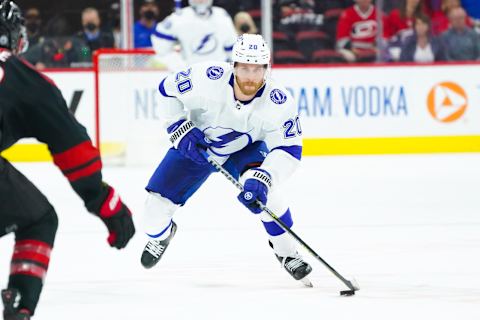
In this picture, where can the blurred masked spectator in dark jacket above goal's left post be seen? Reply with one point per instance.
(92, 34)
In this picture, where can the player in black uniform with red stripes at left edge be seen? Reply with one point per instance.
(32, 106)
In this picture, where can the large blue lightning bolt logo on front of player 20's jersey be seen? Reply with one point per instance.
(225, 141)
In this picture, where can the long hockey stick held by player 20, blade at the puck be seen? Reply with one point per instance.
(353, 287)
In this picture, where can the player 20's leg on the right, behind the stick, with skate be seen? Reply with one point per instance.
(283, 245)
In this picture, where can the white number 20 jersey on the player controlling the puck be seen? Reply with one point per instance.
(204, 94)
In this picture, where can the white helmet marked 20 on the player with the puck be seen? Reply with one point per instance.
(251, 48)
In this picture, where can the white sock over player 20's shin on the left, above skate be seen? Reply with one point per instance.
(158, 213)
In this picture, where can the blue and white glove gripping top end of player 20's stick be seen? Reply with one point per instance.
(188, 140)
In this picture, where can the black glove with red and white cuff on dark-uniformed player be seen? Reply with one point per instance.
(116, 216)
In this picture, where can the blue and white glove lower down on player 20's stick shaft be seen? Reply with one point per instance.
(257, 184)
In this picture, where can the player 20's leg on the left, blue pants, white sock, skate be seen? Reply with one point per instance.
(174, 181)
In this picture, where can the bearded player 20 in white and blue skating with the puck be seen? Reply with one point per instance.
(249, 123)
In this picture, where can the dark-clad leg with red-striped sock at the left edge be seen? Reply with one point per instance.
(27, 213)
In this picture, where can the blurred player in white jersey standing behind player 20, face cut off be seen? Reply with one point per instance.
(203, 31)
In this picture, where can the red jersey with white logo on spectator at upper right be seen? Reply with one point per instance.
(358, 28)
